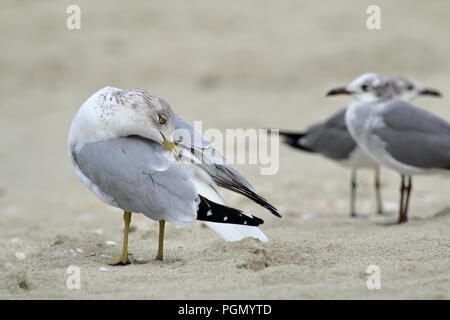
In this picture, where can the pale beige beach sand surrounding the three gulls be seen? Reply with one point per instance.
(264, 65)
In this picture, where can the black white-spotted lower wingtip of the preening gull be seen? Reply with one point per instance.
(213, 212)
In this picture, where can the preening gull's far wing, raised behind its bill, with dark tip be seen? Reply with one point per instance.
(208, 159)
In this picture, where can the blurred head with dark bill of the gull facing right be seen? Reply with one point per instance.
(407, 89)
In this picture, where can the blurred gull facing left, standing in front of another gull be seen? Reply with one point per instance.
(397, 135)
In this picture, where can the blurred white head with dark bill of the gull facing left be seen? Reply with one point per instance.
(368, 87)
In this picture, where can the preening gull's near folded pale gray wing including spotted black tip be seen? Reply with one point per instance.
(136, 173)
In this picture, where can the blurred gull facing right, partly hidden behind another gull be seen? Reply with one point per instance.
(332, 140)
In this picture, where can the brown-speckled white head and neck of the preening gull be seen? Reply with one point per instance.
(114, 113)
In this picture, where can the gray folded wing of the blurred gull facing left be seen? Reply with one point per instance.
(414, 136)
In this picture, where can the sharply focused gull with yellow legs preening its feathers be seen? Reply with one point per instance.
(121, 145)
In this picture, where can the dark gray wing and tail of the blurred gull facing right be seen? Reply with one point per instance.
(329, 138)
